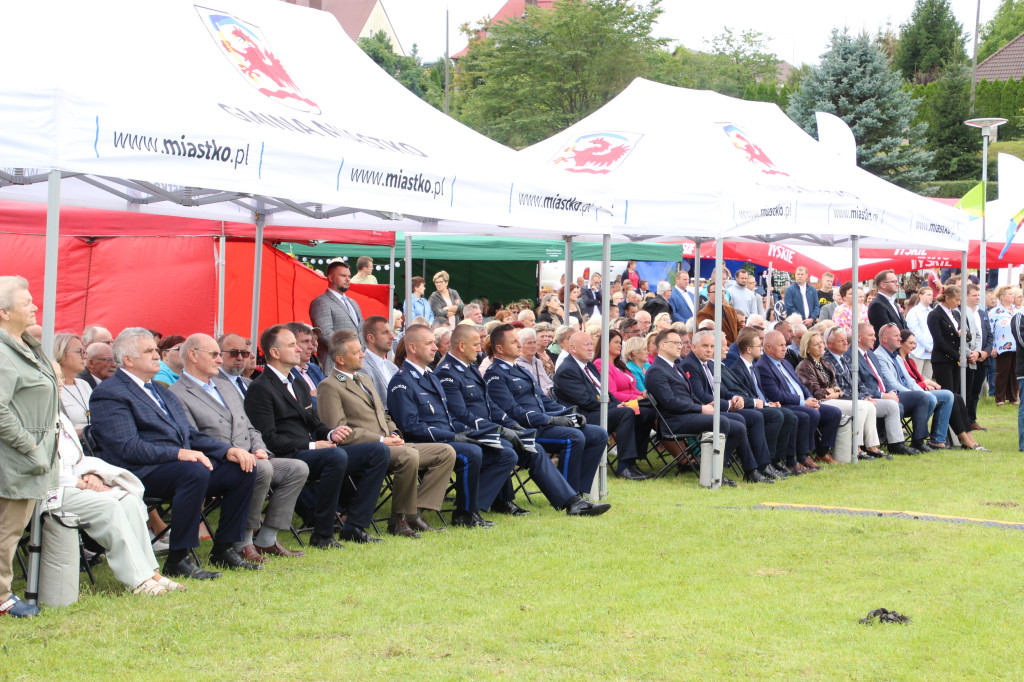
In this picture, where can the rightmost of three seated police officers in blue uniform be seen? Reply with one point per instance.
(515, 391)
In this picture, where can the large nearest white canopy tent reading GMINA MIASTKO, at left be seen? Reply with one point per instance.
(254, 111)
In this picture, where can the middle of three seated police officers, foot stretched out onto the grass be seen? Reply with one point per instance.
(468, 402)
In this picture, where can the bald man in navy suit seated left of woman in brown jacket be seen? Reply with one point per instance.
(780, 385)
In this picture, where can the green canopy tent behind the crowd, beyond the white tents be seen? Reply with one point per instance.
(470, 260)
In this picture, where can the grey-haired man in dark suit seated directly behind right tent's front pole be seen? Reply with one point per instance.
(700, 366)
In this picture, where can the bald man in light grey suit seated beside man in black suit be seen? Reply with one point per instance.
(216, 408)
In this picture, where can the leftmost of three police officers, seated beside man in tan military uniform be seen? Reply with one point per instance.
(417, 404)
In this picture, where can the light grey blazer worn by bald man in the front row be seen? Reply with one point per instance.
(230, 424)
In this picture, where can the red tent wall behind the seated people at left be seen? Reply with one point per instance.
(169, 284)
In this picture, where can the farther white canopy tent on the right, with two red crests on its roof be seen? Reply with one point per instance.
(697, 164)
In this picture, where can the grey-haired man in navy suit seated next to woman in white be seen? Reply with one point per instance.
(143, 428)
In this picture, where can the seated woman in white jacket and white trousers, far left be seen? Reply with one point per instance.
(110, 499)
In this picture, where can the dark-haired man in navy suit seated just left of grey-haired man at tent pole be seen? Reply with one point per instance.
(684, 413)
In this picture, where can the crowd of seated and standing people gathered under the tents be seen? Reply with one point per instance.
(455, 392)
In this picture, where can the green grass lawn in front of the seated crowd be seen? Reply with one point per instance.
(674, 583)
